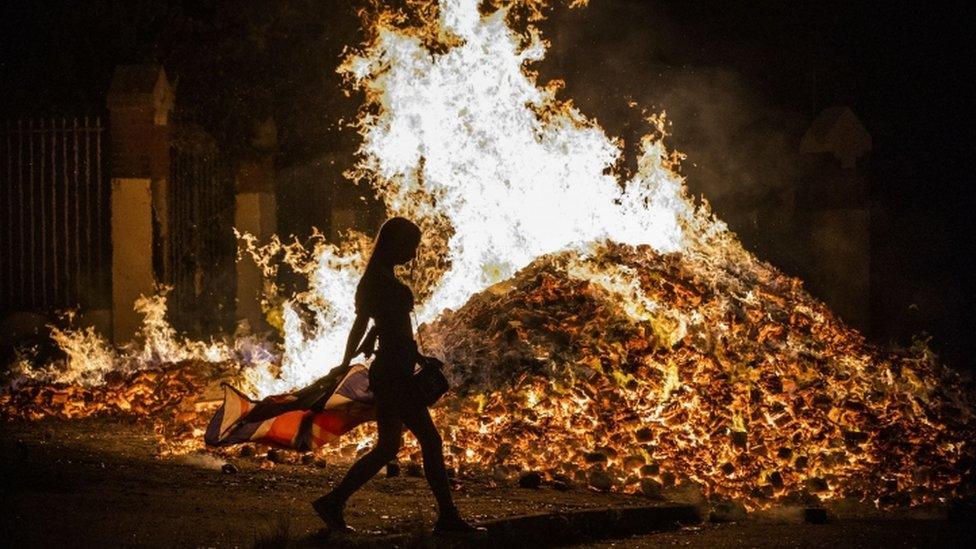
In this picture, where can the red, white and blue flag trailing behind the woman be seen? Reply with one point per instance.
(303, 420)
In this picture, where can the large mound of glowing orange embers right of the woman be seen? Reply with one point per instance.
(630, 370)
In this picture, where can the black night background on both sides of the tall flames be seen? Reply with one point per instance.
(740, 81)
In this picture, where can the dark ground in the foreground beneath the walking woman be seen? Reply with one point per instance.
(96, 483)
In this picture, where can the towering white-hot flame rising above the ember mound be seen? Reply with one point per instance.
(464, 127)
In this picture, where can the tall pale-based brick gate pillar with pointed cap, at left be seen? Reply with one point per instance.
(139, 102)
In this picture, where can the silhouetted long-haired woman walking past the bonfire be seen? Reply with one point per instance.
(386, 300)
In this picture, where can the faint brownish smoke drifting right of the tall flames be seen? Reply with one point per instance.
(622, 61)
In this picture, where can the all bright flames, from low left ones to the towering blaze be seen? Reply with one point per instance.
(495, 167)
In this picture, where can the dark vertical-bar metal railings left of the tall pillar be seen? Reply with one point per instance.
(55, 249)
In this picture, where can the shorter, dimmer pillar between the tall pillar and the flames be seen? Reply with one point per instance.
(255, 214)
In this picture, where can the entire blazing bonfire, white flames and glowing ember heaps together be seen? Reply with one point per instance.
(638, 345)
